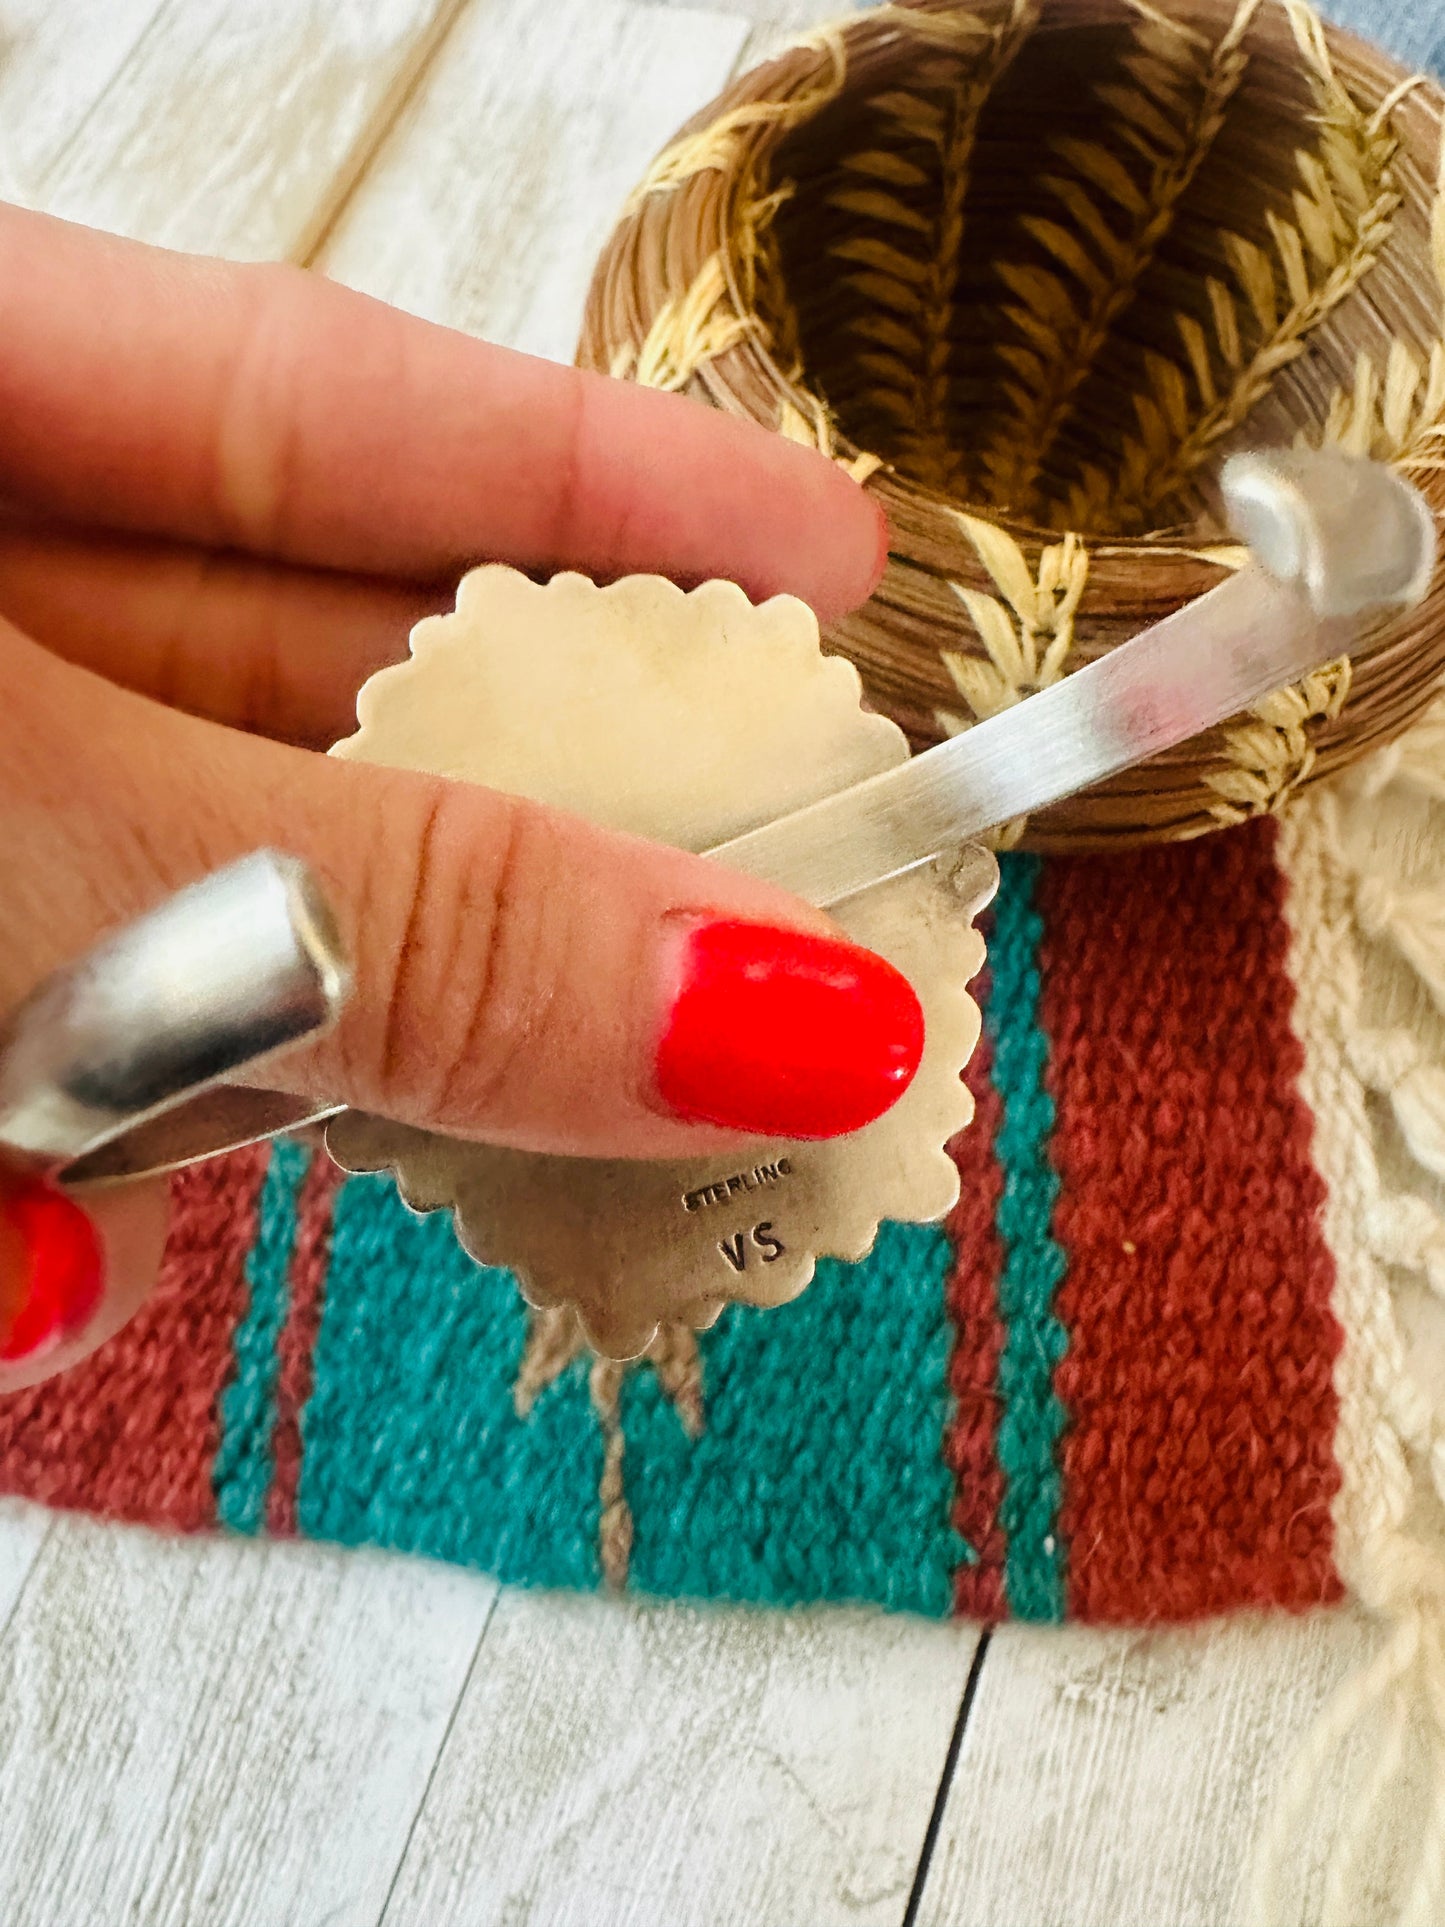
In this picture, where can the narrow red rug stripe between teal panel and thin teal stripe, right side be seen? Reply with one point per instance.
(978, 1346)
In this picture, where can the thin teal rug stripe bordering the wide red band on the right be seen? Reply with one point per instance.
(1032, 1417)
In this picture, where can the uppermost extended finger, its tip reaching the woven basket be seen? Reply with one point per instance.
(267, 409)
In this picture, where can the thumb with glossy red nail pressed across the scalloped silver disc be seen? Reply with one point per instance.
(521, 974)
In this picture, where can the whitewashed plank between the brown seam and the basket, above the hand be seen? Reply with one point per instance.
(490, 201)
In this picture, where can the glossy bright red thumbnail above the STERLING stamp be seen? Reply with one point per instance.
(785, 1034)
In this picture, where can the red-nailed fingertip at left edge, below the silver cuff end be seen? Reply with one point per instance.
(72, 1273)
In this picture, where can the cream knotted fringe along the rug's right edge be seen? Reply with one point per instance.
(1367, 909)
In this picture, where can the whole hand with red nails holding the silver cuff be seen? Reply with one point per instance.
(228, 494)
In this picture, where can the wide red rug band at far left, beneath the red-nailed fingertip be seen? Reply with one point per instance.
(132, 1433)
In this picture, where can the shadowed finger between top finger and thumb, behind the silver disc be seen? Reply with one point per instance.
(255, 645)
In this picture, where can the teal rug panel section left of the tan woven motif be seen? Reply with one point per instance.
(413, 1439)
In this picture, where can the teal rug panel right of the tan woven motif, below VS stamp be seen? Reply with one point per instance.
(820, 1471)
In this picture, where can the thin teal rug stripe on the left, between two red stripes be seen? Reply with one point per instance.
(244, 1460)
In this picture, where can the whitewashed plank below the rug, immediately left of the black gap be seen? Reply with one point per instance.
(621, 1764)
